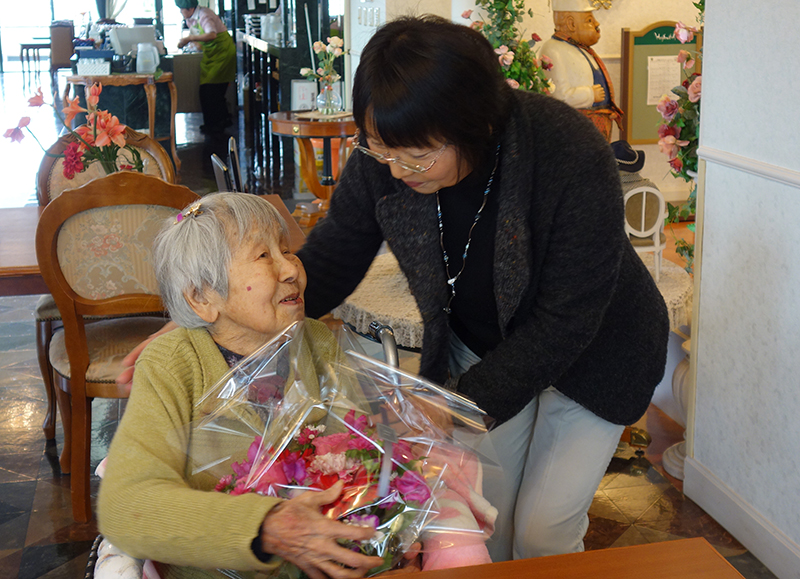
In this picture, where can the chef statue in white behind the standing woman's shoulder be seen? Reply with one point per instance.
(580, 77)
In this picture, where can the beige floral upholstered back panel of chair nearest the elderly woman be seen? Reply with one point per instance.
(107, 251)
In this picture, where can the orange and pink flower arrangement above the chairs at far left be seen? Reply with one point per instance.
(101, 139)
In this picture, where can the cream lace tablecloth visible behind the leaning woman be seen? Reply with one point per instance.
(383, 296)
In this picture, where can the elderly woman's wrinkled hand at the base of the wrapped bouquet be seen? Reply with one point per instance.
(297, 531)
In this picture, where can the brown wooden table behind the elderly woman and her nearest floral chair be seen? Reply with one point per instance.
(19, 270)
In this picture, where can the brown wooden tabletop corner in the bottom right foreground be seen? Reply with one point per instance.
(682, 559)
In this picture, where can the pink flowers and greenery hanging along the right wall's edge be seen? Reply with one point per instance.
(679, 134)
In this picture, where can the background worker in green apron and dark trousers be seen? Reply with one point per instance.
(218, 66)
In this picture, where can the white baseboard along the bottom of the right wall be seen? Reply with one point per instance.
(768, 543)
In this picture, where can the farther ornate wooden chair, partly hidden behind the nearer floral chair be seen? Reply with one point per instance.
(50, 184)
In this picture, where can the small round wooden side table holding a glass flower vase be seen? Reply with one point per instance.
(297, 125)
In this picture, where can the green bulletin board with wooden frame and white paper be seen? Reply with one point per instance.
(650, 70)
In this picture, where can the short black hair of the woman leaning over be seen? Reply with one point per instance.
(426, 78)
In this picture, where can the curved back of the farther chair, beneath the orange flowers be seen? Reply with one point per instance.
(51, 181)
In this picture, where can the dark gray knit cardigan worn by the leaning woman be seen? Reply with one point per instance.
(577, 308)
